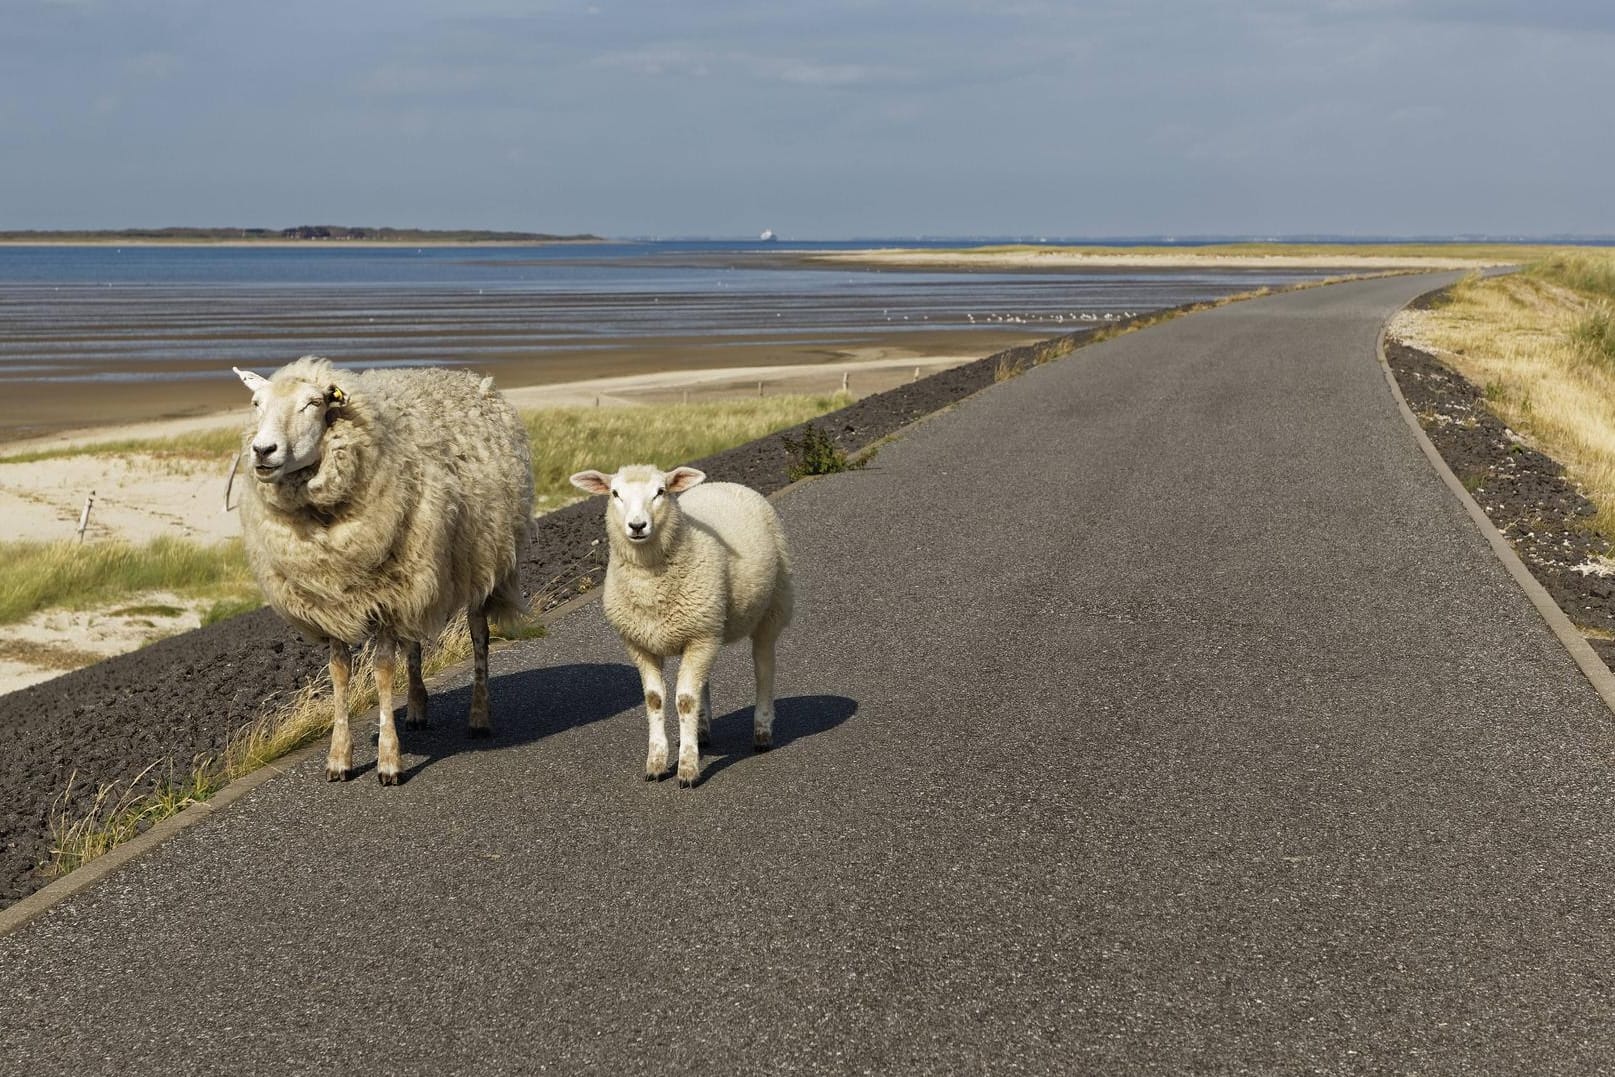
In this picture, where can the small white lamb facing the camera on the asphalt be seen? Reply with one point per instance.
(690, 572)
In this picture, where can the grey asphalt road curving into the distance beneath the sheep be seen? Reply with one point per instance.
(1154, 713)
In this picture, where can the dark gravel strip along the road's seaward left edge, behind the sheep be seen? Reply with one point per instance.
(185, 697)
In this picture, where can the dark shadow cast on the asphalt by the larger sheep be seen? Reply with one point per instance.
(526, 706)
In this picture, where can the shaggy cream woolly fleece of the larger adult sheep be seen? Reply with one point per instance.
(417, 509)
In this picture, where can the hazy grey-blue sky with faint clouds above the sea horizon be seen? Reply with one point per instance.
(815, 119)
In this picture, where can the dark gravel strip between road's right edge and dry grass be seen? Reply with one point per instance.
(1527, 495)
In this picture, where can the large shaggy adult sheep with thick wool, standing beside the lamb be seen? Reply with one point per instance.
(385, 503)
